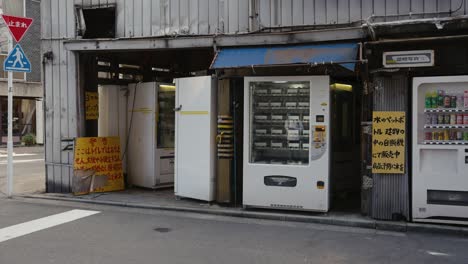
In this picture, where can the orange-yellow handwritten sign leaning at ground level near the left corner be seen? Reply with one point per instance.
(97, 165)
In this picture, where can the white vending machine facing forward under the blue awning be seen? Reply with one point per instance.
(287, 143)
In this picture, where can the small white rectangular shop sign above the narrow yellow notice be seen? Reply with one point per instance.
(412, 58)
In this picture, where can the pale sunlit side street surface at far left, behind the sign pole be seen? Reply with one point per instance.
(28, 170)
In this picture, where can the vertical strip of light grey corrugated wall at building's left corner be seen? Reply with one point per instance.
(60, 84)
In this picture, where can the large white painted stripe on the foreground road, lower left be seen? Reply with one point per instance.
(26, 228)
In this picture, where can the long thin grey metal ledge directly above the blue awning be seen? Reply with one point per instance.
(184, 42)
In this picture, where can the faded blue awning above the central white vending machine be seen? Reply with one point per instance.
(344, 54)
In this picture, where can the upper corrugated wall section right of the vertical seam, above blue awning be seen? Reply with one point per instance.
(285, 13)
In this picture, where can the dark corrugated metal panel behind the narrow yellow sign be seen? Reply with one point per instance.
(390, 192)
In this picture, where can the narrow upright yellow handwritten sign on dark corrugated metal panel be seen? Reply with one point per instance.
(388, 142)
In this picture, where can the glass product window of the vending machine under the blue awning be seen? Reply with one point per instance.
(279, 122)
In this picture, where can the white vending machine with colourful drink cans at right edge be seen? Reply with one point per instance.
(440, 149)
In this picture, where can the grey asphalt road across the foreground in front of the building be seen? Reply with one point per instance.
(124, 235)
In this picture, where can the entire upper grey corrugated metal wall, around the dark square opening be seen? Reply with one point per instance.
(143, 18)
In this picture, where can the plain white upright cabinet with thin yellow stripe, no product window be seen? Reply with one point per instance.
(195, 138)
